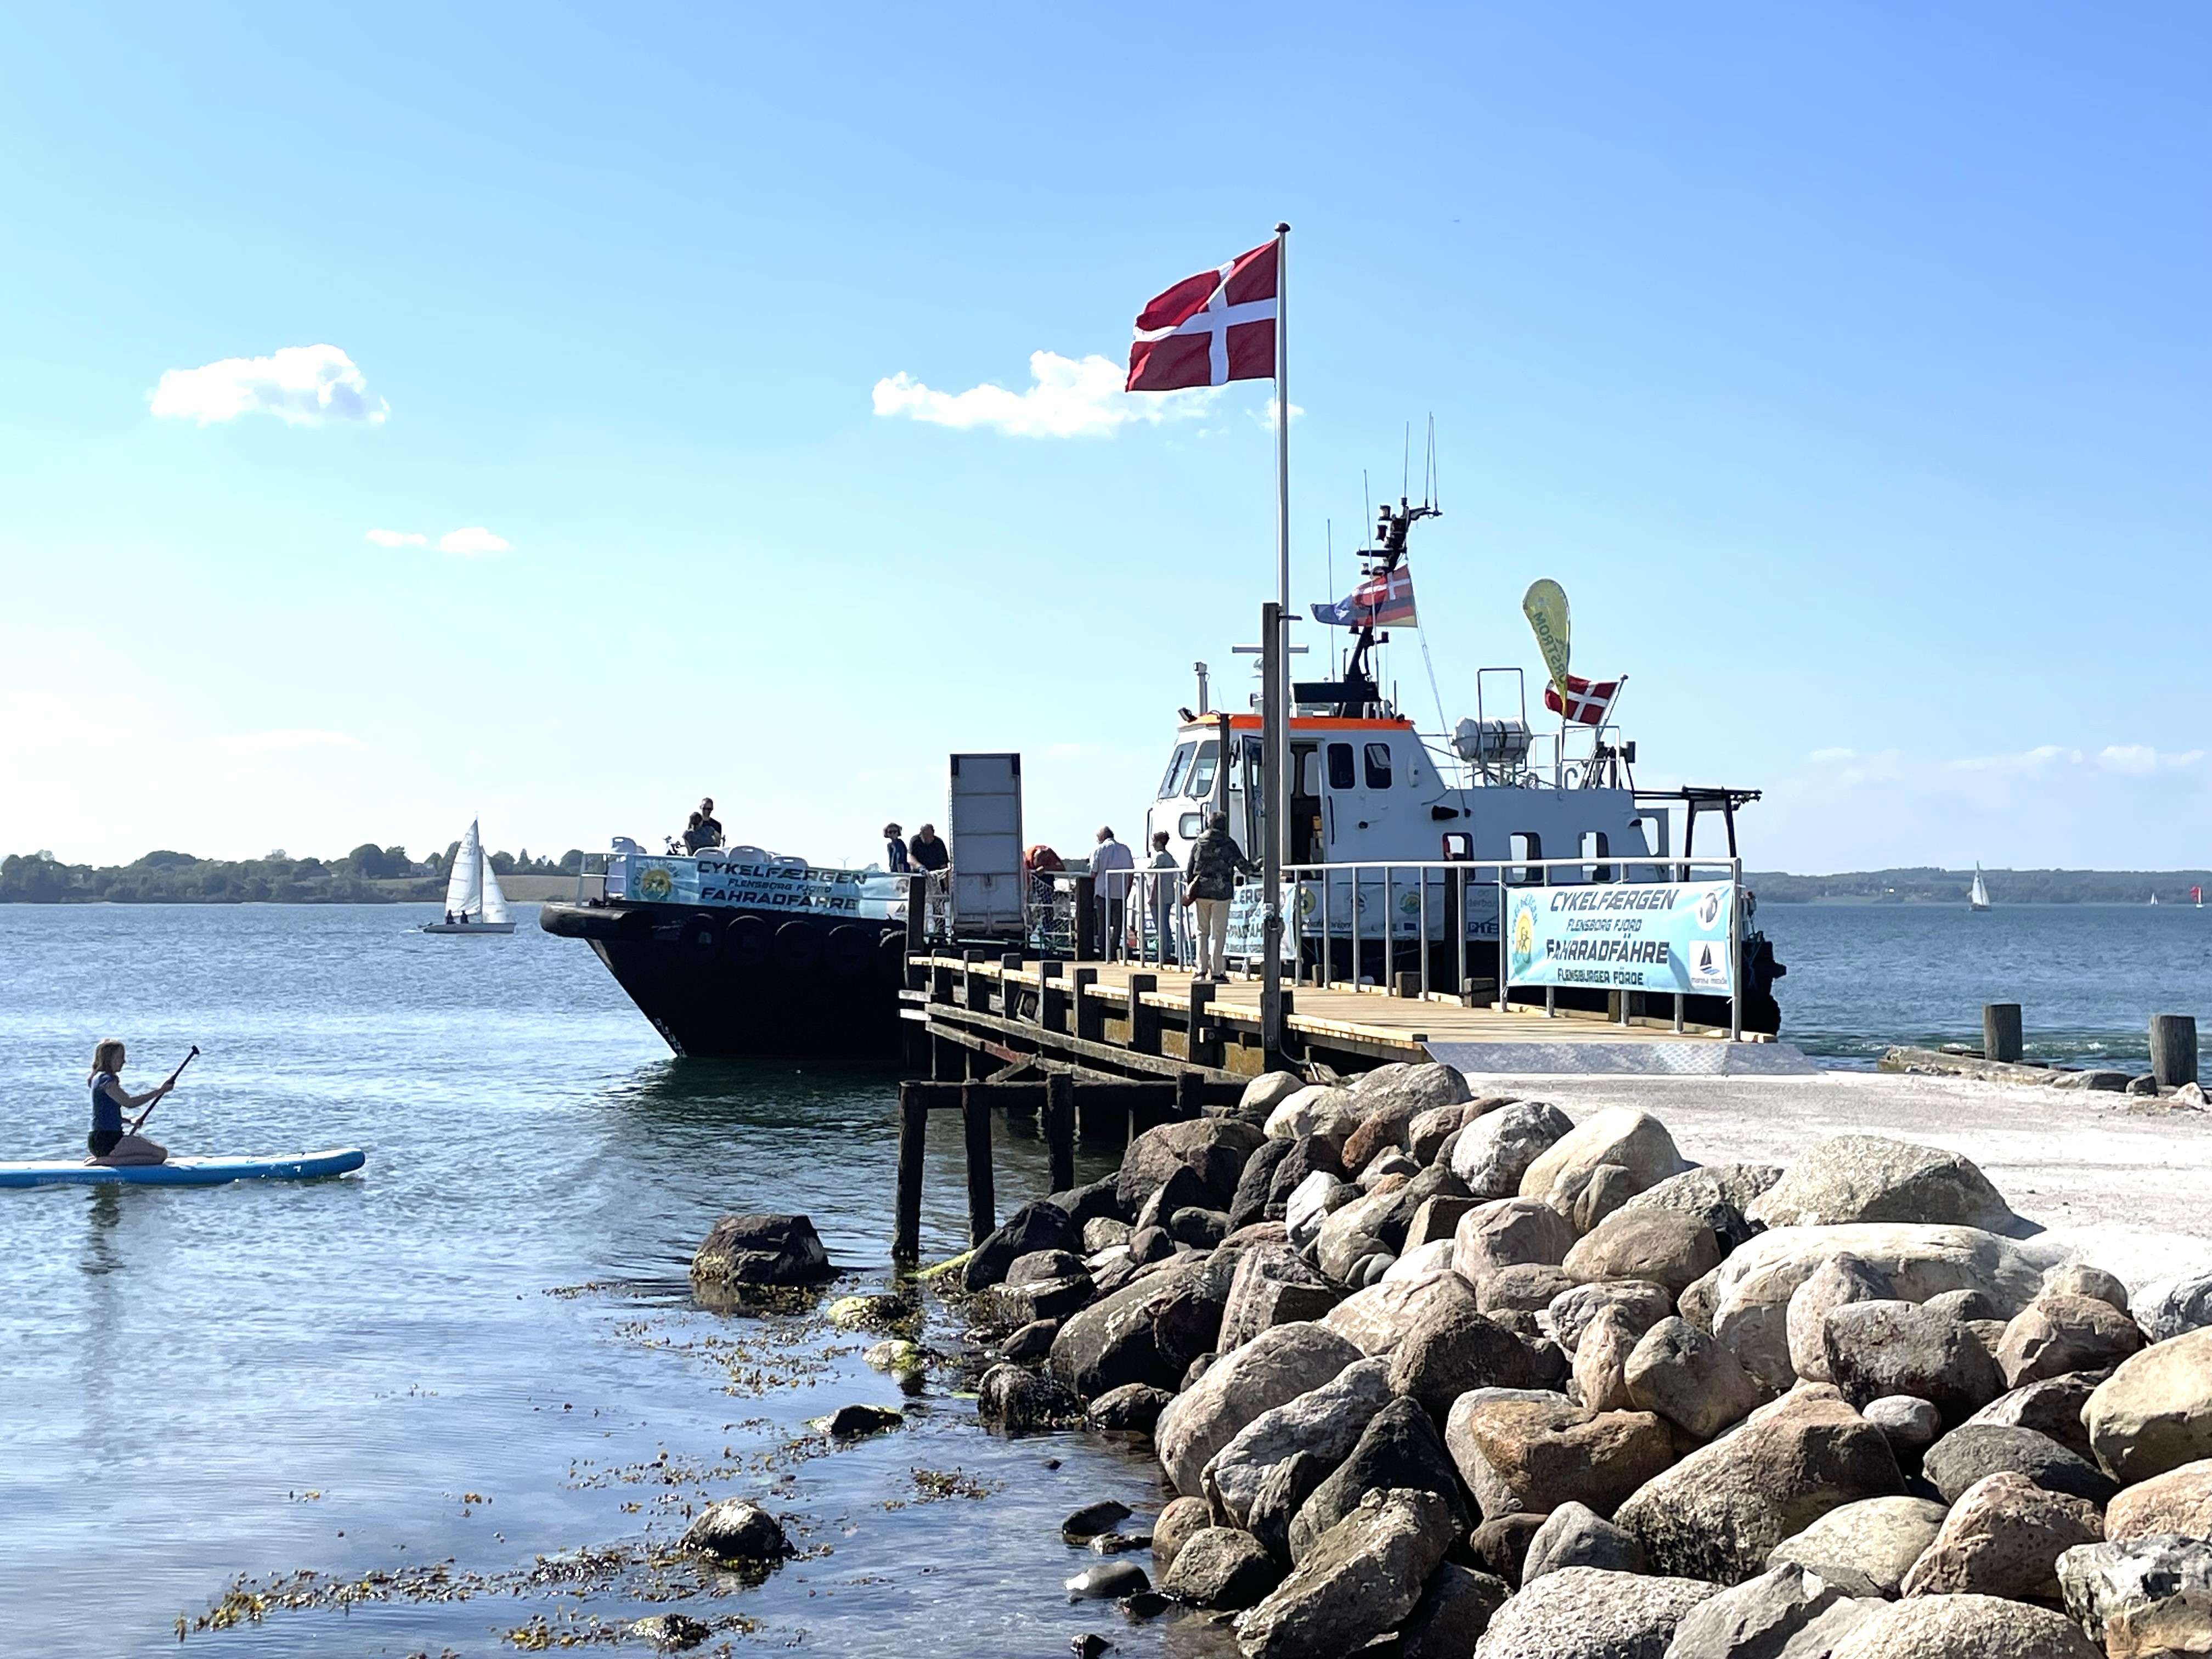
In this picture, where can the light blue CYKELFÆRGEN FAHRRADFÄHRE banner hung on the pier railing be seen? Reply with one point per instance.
(1614, 937)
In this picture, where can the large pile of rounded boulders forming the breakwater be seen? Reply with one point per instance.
(1437, 1377)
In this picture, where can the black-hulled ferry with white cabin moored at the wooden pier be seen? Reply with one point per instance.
(742, 952)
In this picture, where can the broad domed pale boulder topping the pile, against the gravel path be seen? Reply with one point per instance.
(1868, 1178)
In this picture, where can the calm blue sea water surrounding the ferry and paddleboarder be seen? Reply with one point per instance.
(483, 1348)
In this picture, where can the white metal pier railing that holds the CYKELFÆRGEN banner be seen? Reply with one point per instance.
(1326, 904)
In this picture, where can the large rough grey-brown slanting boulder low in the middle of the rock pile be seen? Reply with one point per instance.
(1722, 1510)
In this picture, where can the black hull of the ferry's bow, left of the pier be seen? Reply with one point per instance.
(740, 983)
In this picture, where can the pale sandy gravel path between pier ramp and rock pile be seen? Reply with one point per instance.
(2120, 1182)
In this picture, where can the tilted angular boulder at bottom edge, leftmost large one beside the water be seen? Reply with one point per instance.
(1357, 1583)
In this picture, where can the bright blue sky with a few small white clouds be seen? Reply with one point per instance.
(1846, 364)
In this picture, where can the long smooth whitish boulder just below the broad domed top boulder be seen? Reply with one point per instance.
(1751, 1291)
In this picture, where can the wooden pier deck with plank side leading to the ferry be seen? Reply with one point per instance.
(1125, 1021)
